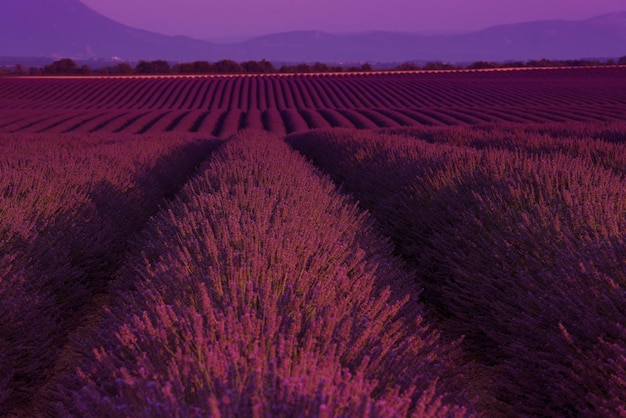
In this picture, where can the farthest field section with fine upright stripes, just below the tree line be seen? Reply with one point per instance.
(519, 89)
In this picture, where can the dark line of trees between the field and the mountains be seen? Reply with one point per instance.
(67, 66)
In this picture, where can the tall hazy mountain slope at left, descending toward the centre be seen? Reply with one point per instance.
(68, 28)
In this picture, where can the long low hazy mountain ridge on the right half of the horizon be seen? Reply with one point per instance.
(602, 36)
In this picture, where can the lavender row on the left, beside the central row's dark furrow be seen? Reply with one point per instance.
(68, 206)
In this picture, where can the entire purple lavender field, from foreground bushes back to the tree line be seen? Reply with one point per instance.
(429, 245)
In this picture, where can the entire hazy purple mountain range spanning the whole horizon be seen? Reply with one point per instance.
(68, 28)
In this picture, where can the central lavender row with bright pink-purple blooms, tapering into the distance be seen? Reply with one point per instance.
(262, 291)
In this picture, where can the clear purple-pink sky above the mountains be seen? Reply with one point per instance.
(240, 19)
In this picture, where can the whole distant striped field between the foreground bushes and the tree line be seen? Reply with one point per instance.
(361, 101)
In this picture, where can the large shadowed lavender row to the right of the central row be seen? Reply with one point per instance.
(521, 252)
